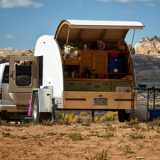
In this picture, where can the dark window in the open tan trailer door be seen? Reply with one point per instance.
(23, 73)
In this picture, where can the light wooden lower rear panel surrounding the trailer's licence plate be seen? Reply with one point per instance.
(85, 100)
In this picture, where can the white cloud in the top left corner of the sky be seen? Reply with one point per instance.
(20, 4)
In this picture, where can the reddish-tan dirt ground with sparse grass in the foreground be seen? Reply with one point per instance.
(96, 141)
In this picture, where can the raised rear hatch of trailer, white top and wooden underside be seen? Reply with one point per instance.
(92, 30)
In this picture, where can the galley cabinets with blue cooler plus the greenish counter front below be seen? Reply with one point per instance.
(96, 70)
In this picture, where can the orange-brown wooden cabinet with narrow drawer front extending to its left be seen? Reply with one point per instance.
(89, 62)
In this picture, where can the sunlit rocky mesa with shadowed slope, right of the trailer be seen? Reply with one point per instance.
(147, 61)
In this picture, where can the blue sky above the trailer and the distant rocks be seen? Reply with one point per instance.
(23, 21)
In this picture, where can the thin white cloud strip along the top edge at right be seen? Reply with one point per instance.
(147, 2)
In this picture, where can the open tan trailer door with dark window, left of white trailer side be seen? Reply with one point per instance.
(23, 74)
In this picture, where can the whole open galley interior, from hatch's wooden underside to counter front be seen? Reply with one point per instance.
(95, 59)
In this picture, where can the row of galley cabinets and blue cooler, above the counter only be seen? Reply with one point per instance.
(96, 64)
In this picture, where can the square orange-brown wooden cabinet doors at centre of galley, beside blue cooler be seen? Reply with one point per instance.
(94, 64)
